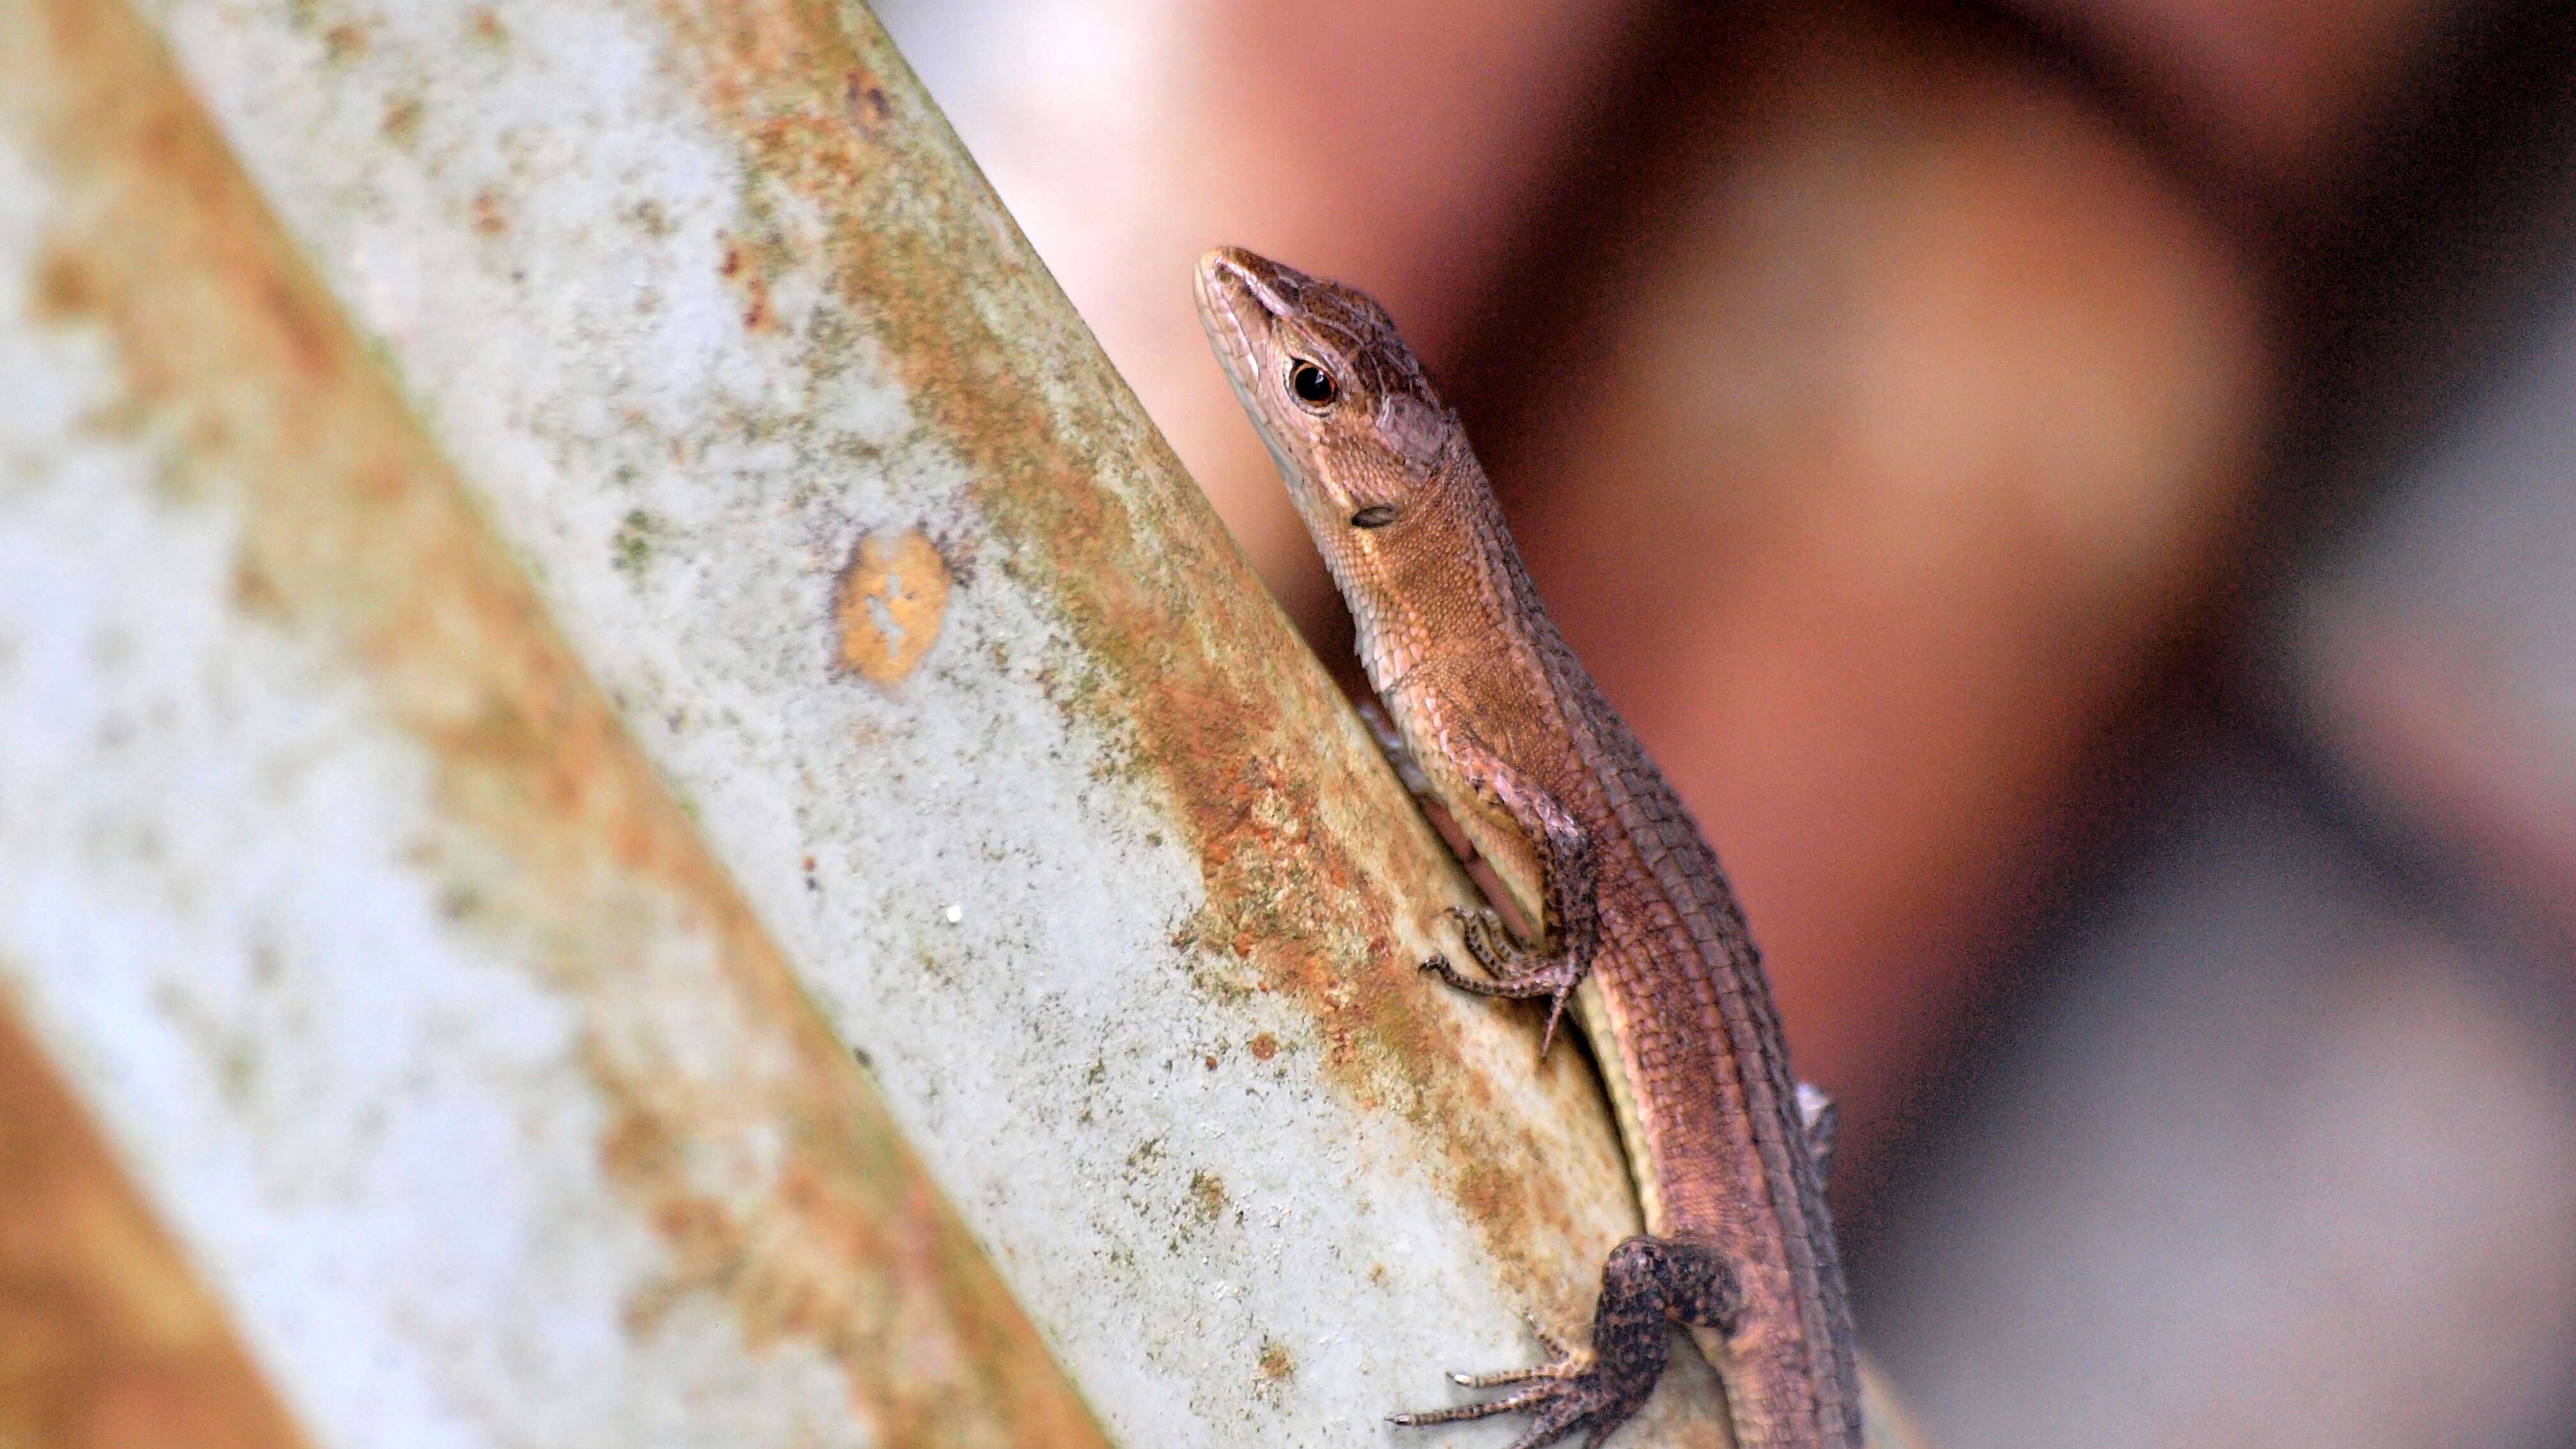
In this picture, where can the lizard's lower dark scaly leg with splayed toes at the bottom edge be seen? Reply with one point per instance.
(1650, 1285)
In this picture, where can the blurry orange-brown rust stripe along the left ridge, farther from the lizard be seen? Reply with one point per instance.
(357, 538)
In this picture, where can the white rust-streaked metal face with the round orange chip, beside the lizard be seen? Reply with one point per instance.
(957, 677)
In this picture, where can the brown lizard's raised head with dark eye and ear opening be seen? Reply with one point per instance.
(1338, 398)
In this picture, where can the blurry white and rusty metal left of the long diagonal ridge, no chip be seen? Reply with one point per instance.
(380, 958)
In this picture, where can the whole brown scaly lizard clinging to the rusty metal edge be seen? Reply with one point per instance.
(1493, 718)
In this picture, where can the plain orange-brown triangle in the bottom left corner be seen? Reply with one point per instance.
(104, 1334)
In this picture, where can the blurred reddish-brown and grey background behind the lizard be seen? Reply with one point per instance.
(2080, 499)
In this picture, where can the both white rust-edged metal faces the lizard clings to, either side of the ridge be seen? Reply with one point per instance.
(676, 478)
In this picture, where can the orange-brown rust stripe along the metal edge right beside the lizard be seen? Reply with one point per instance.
(1194, 666)
